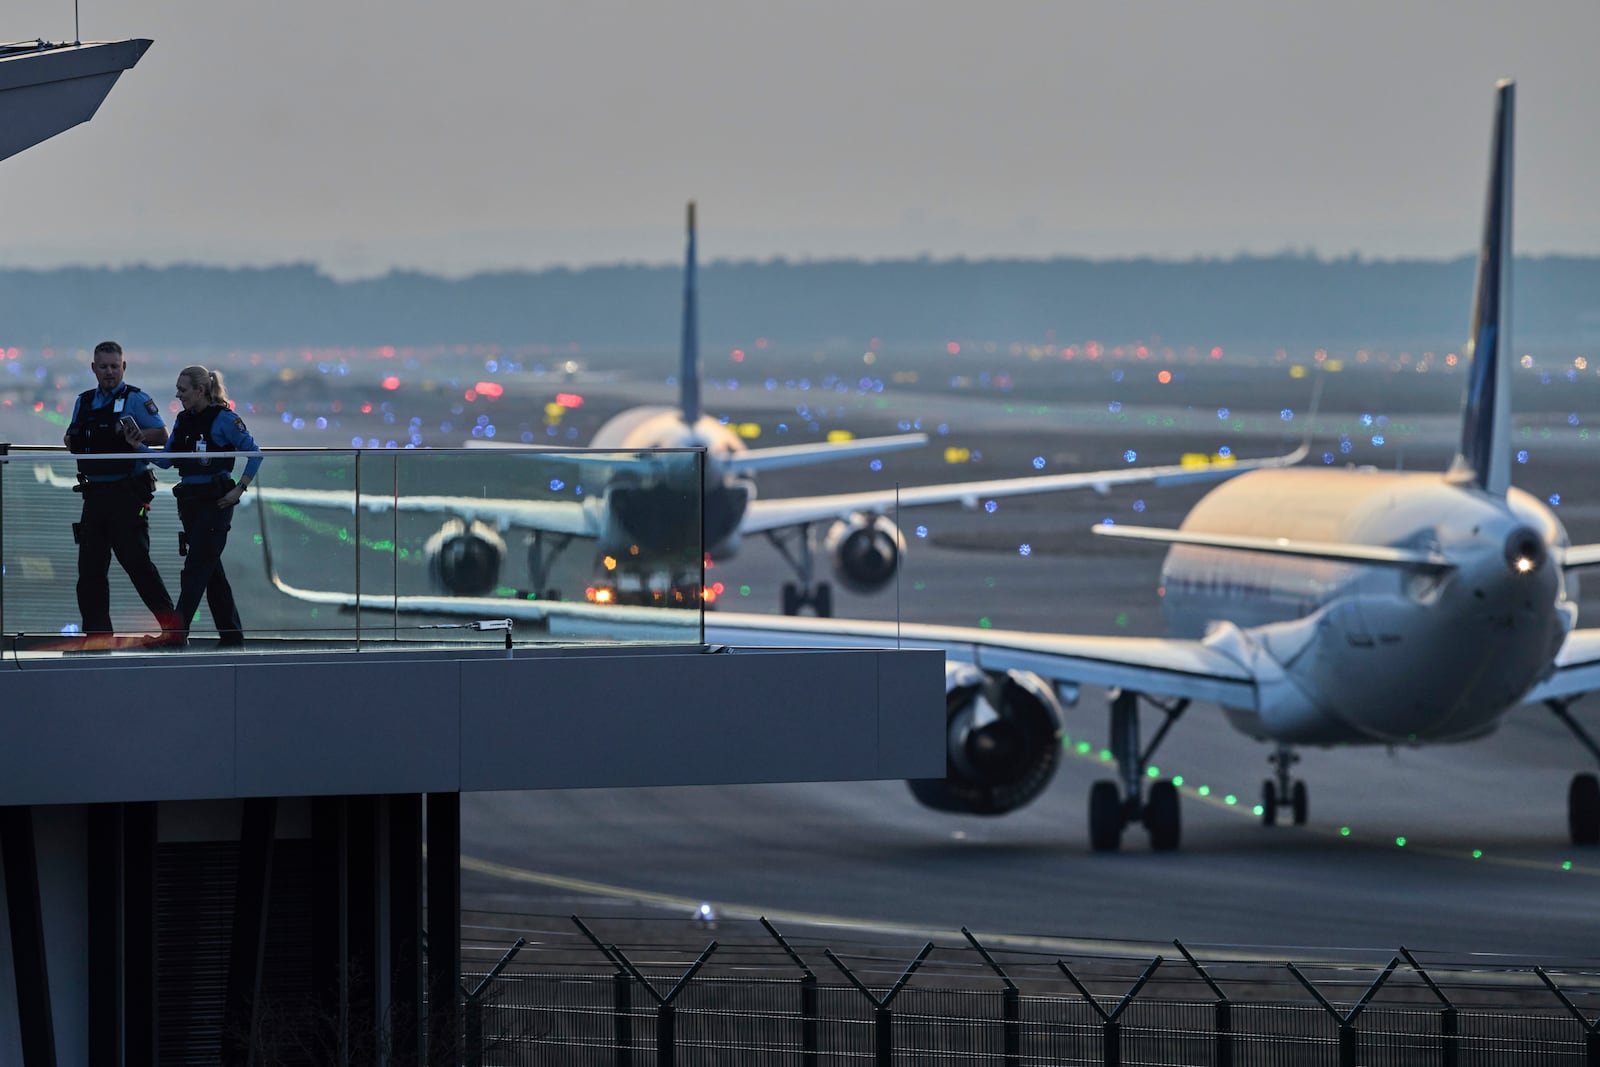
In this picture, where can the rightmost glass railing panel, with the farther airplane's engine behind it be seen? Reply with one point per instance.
(572, 548)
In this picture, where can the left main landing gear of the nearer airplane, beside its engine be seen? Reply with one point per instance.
(1118, 805)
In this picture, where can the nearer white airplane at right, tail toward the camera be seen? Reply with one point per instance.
(1316, 607)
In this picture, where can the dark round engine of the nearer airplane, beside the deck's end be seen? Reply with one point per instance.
(1004, 741)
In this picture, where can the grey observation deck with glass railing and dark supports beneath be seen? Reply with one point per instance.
(418, 625)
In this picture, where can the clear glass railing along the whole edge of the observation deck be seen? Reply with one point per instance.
(361, 549)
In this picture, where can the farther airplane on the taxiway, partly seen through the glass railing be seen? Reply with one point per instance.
(854, 530)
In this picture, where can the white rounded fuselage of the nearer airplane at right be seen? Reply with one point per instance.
(1354, 653)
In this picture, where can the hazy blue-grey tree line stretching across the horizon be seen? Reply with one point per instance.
(1265, 300)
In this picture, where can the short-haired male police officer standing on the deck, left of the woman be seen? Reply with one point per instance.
(116, 494)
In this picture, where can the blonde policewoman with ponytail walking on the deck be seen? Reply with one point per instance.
(207, 494)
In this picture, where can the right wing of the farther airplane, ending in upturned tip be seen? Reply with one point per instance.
(782, 513)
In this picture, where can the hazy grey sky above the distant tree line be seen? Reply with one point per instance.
(366, 137)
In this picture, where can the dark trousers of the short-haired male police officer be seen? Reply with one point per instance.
(116, 522)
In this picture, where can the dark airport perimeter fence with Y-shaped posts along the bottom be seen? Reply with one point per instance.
(754, 996)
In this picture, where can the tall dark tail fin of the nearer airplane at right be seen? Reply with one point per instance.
(1486, 420)
